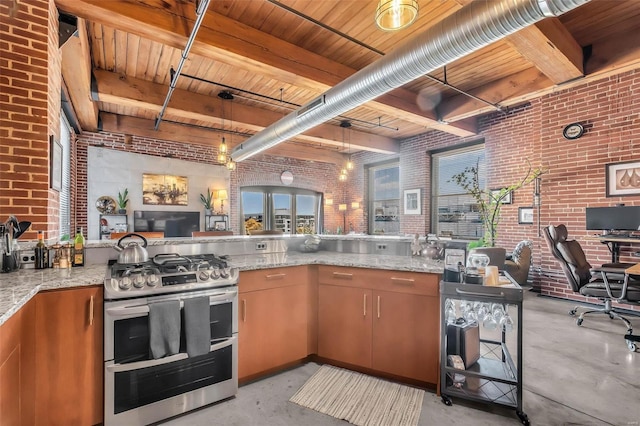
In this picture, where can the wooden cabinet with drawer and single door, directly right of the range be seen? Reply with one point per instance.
(273, 319)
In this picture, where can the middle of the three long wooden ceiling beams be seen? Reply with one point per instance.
(136, 93)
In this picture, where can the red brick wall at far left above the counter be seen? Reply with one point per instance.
(29, 111)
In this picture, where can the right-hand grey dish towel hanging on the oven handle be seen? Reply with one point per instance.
(197, 325)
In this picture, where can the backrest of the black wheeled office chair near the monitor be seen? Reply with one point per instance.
(570, 255)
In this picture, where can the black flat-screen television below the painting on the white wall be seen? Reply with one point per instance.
(172, 223)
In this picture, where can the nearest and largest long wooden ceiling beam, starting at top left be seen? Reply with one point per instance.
(231, 42)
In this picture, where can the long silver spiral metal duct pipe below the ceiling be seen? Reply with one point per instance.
(469, 29)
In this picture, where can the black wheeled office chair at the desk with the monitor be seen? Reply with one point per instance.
(608, 283)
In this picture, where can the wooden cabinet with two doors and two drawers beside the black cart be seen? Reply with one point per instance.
(383, 320)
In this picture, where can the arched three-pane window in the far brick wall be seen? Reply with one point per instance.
(275, 208)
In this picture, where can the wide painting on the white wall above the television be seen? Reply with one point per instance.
(166, 190)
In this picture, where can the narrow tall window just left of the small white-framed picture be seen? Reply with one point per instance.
(384, 199)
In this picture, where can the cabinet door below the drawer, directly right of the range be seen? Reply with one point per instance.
(272, 328)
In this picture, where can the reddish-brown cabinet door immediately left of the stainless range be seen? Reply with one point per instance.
(69, 365)
